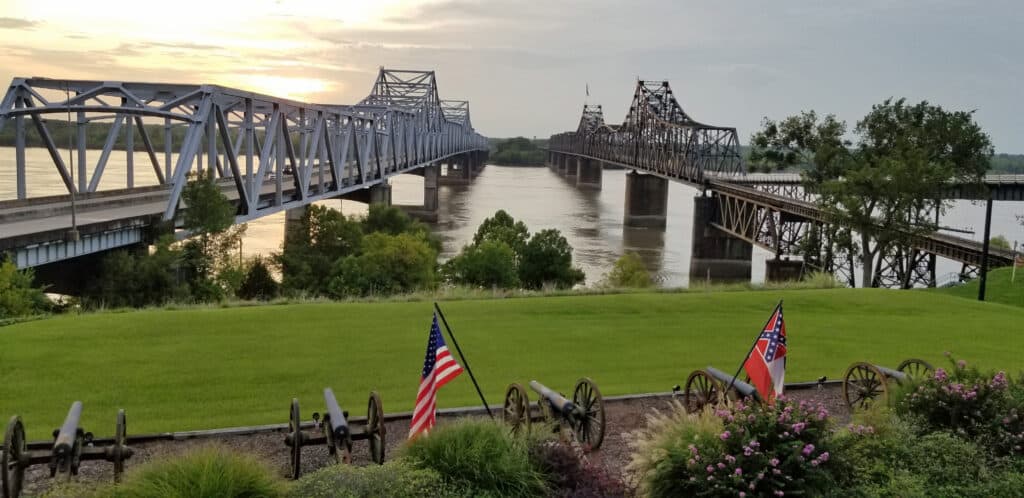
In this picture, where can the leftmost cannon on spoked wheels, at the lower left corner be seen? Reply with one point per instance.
(71, 447)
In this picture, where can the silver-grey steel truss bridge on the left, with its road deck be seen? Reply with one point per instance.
(270, 154)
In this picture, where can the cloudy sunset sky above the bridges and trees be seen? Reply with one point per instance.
(526, 66)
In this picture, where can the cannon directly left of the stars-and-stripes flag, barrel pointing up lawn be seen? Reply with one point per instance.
(334, 432)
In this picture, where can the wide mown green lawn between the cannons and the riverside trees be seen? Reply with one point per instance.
(205, 368)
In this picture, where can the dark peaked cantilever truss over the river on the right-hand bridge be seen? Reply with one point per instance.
(658, 137)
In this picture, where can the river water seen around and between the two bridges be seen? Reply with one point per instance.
(592, 222)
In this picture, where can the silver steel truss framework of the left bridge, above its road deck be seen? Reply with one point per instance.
(277, 152)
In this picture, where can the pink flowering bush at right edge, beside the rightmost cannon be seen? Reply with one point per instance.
(977, 406)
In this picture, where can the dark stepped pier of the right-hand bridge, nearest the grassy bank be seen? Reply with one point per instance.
(716, 257)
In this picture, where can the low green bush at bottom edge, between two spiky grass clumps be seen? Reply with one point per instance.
(396, 479)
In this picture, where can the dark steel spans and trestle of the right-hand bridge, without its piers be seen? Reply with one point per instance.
(772, 212)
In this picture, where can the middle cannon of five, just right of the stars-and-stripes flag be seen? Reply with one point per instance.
(584, 417)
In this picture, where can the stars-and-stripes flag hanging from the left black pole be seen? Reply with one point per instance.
(439, 369)
